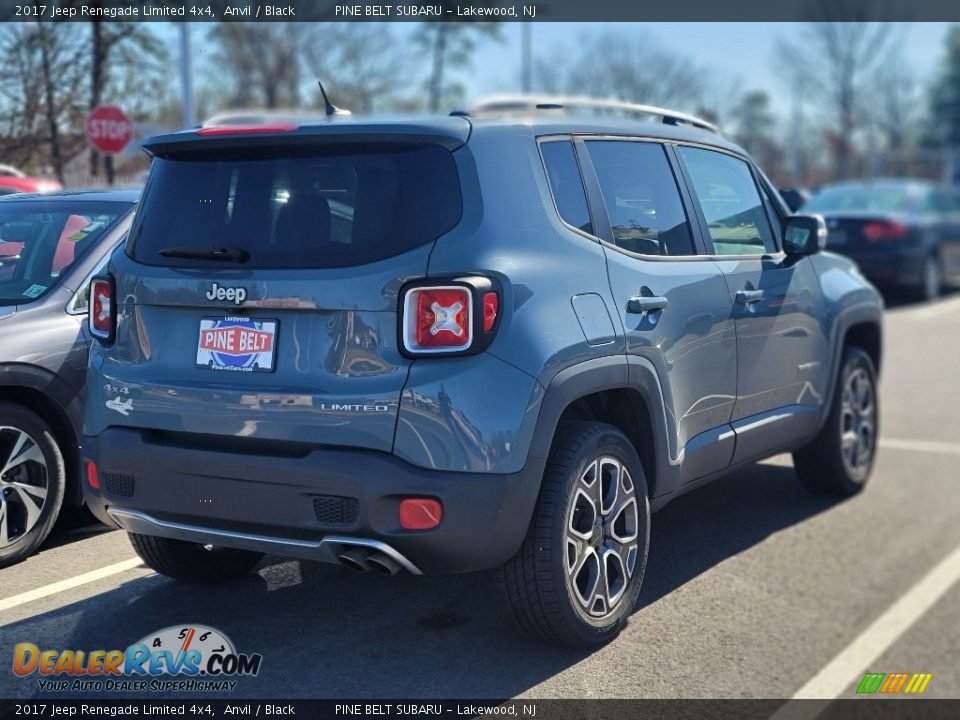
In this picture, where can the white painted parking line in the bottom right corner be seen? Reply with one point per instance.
(854, 660)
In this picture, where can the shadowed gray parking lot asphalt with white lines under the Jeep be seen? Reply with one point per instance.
(754, 588)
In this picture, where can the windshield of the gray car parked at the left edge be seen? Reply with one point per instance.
(41, 240)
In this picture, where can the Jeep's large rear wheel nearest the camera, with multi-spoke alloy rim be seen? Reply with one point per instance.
(537, 582)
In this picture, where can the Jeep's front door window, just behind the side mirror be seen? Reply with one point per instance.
(725, 188)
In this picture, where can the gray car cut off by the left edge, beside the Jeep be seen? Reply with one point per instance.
(50, 245)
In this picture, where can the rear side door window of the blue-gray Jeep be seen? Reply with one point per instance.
(641, 196)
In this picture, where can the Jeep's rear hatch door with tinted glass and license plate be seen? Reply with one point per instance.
(258, 292)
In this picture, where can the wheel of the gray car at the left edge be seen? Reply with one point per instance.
(28, 533)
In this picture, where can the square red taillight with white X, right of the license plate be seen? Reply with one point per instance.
(437, 319)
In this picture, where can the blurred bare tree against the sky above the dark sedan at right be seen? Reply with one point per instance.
(837, 59)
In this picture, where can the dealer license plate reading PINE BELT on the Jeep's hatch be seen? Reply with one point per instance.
(238, 344)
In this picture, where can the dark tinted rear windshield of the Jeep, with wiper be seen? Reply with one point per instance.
(295, 207)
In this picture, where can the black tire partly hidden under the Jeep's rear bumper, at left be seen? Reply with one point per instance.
(193, 563)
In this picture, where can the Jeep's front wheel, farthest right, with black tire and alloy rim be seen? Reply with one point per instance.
(821, 465)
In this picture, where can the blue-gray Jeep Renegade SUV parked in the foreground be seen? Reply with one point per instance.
(451, 344)
